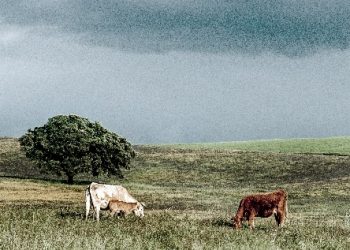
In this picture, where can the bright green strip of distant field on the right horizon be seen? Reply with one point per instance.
(334, 145)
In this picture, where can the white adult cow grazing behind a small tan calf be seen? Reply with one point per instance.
(99, 195)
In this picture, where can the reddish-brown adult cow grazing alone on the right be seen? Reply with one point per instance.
(262, 205)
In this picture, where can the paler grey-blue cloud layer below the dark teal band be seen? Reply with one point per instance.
(152, 98)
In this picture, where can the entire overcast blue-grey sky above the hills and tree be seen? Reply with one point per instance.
(169, 71)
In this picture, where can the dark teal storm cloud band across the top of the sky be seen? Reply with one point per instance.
(287, 27)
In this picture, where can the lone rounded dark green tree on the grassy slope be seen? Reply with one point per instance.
(69, 144)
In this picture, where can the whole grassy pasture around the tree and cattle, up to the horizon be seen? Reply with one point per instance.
(191, 192)
